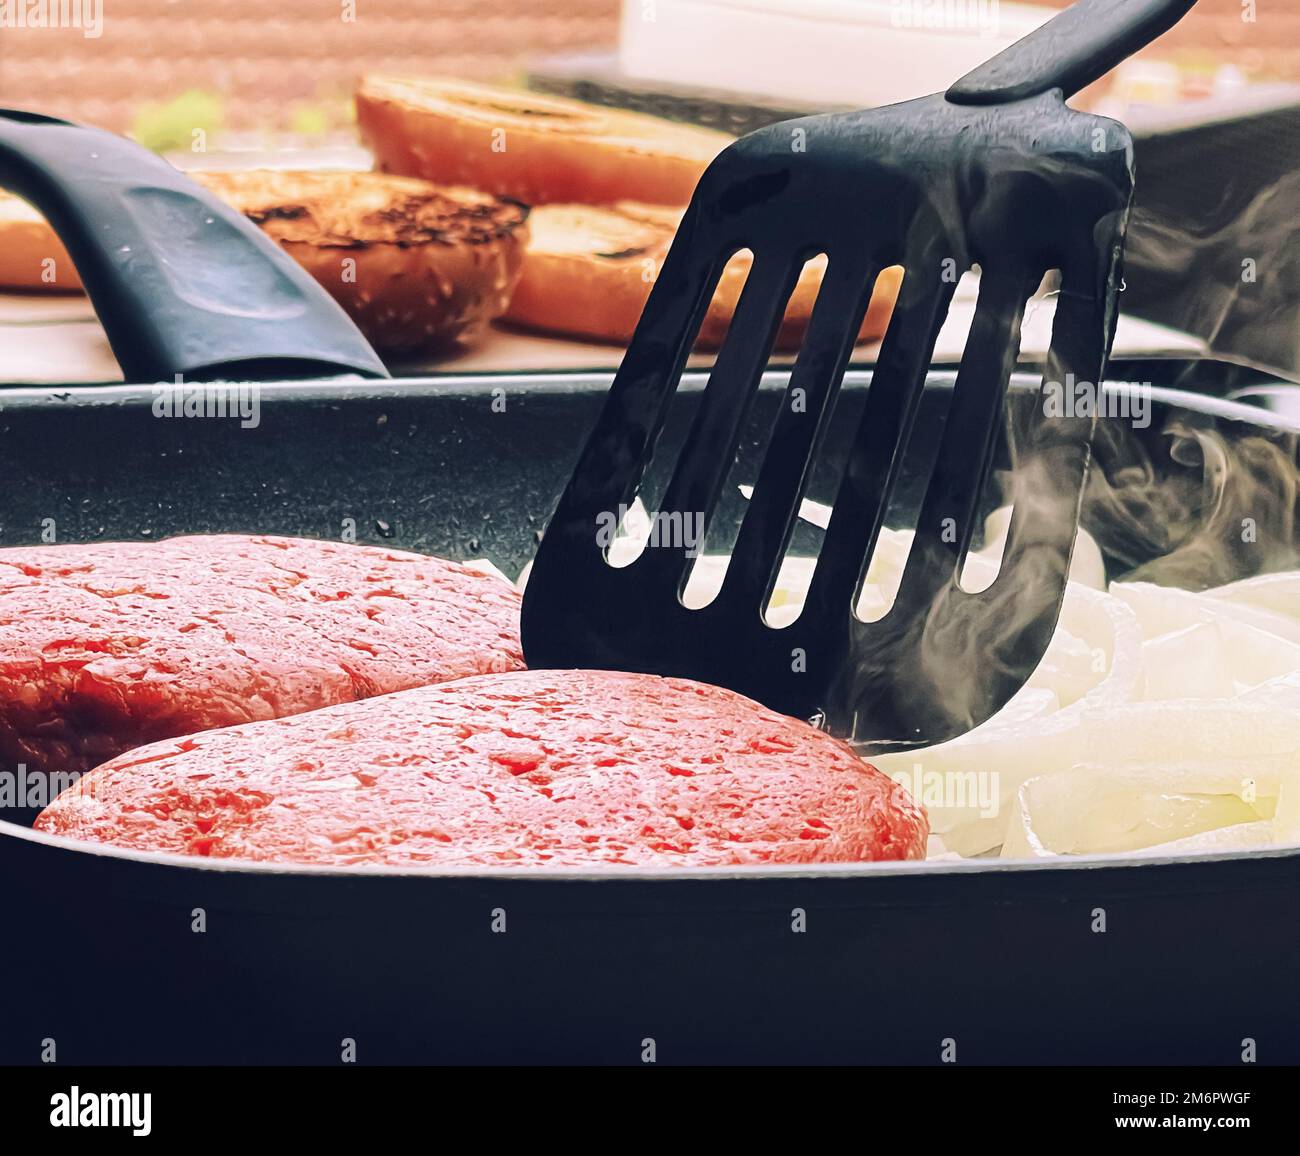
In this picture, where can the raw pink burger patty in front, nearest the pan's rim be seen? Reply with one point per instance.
(534, 769)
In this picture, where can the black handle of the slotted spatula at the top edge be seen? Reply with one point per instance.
(1071, 51)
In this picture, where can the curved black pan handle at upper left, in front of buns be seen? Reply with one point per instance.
(181, 282)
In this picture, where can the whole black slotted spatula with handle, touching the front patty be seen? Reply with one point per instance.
(998, 174)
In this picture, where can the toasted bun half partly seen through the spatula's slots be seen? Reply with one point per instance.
(588, 272)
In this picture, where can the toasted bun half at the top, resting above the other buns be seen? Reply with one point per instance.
(530, 148)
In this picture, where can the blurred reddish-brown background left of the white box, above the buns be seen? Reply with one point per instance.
(279, 67)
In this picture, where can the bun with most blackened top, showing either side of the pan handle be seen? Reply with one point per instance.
(415, 265)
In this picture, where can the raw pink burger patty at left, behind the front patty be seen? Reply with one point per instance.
(110, 647)
